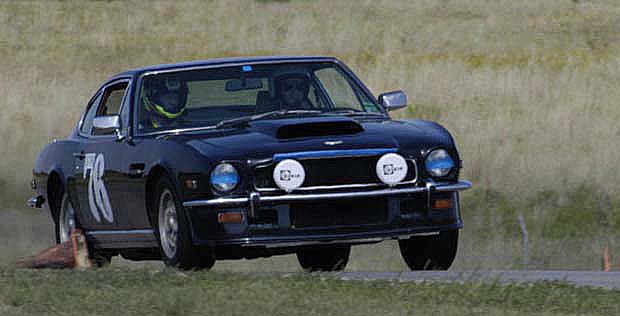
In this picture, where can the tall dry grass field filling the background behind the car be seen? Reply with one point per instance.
(529, 90)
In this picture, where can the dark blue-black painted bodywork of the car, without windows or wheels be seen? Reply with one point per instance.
(133, 160)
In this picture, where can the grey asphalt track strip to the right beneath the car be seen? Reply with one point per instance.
(607, 280)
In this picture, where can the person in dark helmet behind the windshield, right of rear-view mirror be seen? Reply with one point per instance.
(292, 91)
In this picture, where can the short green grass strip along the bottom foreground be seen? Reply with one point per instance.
(168, 292)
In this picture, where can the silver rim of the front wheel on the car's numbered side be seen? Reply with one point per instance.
(168, 223)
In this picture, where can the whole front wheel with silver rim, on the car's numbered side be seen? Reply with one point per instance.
(173, 232)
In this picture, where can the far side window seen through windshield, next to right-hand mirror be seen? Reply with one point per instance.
(338, 88)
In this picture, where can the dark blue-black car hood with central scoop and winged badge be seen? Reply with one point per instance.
(263, 138)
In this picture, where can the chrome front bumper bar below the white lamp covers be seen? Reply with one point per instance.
(254, 199)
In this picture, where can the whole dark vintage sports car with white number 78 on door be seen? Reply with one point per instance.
(252, 157)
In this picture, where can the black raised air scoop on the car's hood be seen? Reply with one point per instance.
(321, 128)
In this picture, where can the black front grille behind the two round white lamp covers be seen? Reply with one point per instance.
(339, 171)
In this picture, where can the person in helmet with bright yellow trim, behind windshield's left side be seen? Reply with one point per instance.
(164, 101)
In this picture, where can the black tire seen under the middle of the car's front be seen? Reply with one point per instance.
(324, 258)
